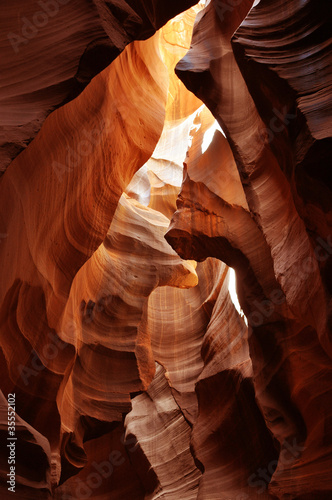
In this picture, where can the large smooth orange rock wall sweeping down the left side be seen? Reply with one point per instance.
(85, 173)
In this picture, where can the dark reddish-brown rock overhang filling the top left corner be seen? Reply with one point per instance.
(51, 49)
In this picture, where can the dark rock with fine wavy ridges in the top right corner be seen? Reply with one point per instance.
(293, 55)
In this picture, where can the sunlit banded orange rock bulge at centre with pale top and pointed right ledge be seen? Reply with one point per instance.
(111, 292)
